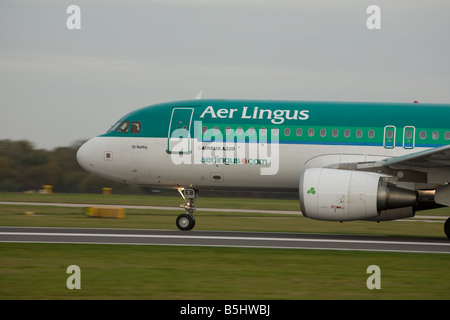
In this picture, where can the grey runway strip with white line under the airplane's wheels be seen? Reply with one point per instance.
(224, 239)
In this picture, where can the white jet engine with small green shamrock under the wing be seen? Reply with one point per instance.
(343, 195)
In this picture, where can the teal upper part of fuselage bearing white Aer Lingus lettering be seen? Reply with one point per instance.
(430, 121)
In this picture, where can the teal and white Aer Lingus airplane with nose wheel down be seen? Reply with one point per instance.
(347, 160)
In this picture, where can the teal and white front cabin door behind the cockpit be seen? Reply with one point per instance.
(178, 140)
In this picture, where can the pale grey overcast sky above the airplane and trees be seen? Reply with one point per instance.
(58, 86)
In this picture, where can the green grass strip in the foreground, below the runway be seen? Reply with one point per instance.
(38, 271)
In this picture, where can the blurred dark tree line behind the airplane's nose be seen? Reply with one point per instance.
(23, 168)
